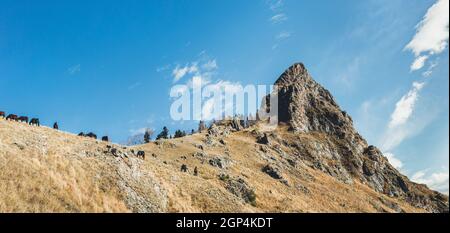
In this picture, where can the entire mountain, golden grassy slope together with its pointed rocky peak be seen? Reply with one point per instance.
(314, 161)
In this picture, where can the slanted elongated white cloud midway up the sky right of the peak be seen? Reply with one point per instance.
(405, 106)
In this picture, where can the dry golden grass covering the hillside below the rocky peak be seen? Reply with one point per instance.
(44, 170)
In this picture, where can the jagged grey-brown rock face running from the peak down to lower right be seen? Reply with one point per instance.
(307, 107)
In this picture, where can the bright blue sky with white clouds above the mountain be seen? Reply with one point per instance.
(108, 66)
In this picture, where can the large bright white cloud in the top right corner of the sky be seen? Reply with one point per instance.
(431, 34)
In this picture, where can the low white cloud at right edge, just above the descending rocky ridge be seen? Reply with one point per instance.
(437, 181)
